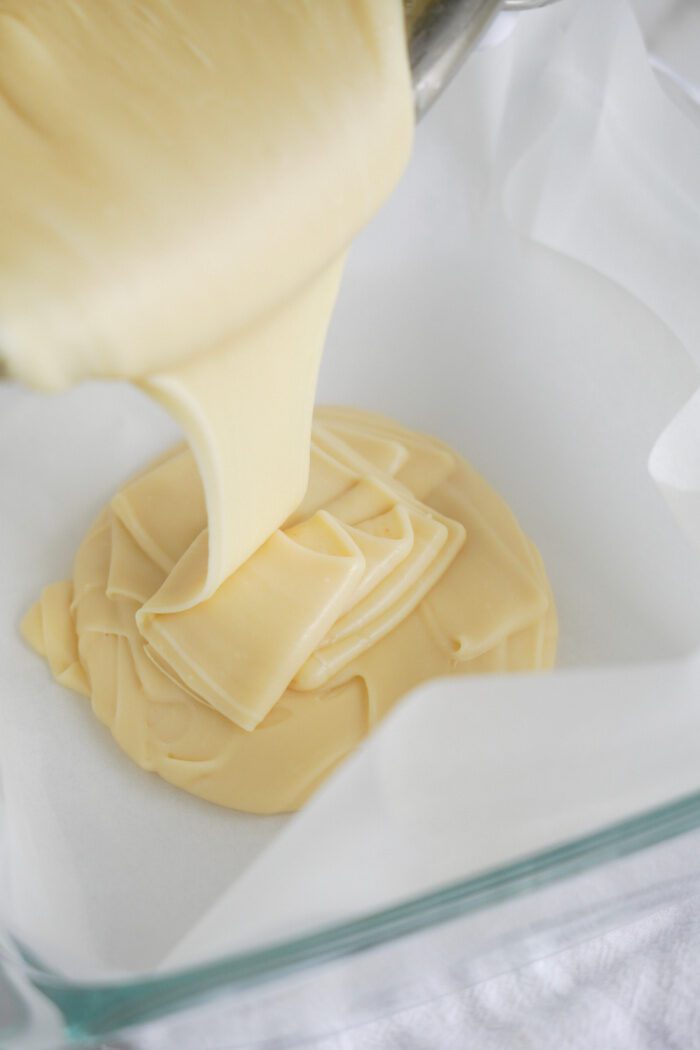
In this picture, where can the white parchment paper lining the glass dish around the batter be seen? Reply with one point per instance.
(557, 382)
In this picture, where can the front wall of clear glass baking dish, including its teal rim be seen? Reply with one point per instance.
(338, 978)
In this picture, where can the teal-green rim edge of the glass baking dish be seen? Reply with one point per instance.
(97, 1011)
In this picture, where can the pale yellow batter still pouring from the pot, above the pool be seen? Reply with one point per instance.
(180, 182)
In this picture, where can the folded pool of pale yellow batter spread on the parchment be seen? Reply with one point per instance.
(401, 564)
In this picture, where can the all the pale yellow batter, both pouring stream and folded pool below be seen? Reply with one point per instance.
(180, 182)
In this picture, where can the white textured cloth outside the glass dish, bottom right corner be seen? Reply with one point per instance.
(637, 989)
